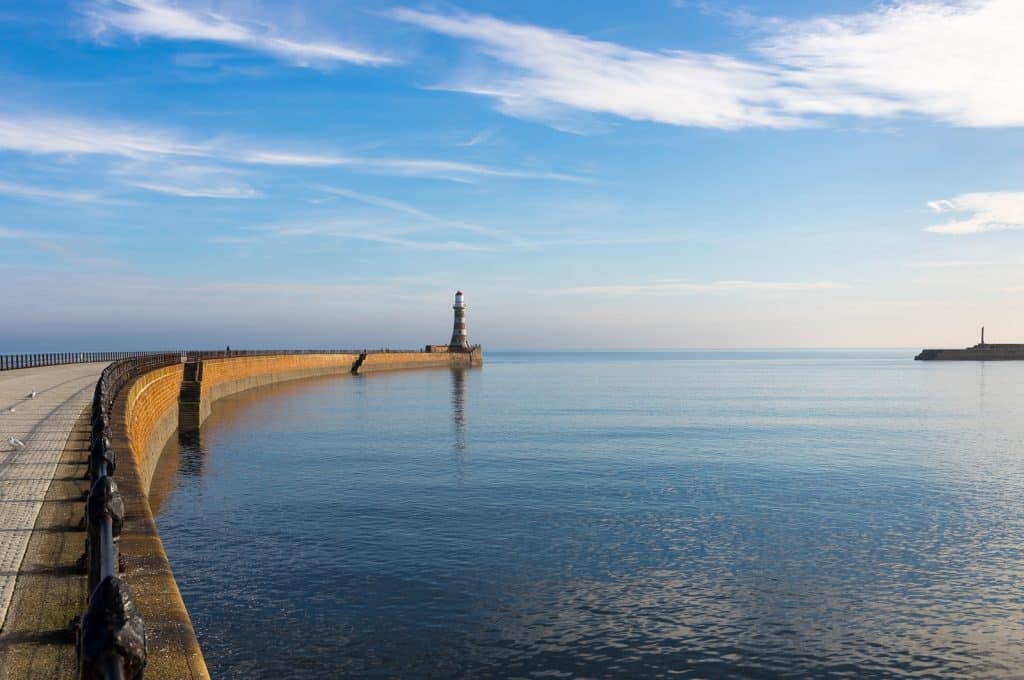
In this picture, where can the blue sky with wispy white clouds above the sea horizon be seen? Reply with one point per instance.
(602, 175)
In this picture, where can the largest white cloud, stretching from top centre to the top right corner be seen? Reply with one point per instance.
(878, 64)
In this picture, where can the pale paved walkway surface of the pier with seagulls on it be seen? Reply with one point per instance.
(44, 424)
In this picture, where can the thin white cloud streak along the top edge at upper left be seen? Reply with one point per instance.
(158, 19)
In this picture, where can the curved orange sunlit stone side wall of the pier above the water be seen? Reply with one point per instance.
(146, 417)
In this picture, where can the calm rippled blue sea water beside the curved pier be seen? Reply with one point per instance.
(691, 515)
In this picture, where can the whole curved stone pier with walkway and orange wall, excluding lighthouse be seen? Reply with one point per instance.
(119, 431)
